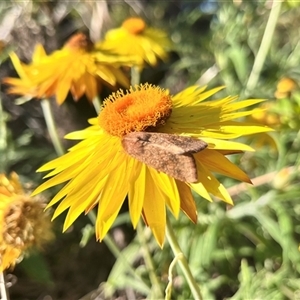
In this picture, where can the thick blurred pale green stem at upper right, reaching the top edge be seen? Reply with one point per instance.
(264, 47)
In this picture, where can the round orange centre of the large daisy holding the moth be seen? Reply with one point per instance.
(140, 109)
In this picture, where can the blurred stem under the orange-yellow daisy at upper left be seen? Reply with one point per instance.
(46, 107)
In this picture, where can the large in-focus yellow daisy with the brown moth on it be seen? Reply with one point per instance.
(137, 147)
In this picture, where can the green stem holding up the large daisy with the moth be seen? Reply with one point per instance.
(183, 262)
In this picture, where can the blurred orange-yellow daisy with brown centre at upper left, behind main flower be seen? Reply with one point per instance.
(77, 68)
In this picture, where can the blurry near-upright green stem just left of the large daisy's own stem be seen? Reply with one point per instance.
(157, 292)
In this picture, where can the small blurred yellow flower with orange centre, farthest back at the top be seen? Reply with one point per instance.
(135, 38)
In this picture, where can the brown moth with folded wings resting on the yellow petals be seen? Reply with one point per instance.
(168, 153)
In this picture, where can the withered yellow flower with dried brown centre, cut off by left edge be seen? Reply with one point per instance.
(22, 221)
